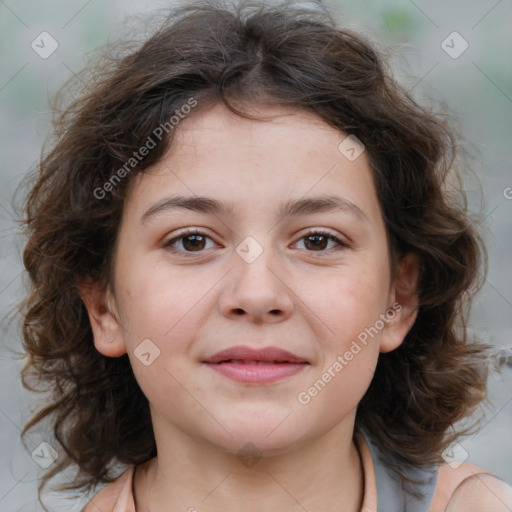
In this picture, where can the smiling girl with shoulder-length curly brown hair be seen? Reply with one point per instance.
(250, 279)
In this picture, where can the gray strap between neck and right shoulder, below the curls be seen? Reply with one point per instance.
(390, 495)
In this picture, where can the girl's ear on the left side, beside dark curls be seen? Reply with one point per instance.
(106, 328)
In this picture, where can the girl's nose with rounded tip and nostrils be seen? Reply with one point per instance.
(257, 290)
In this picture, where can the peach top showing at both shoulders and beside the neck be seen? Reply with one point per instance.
(117, 496)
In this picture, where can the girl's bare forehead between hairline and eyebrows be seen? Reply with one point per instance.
(291, 154)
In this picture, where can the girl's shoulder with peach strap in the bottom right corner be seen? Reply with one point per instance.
(469, 488)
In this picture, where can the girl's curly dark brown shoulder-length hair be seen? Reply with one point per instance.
(246, 54)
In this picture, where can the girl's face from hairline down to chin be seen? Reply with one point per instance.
(294, 257)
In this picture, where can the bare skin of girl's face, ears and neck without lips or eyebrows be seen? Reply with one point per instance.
(312, 302)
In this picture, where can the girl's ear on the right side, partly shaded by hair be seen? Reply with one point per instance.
(403, 309)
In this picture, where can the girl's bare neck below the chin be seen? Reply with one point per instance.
(324, 474)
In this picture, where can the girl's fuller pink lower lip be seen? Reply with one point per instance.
(257, 373)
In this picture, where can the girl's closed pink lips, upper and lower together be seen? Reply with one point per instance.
(248, 365)
